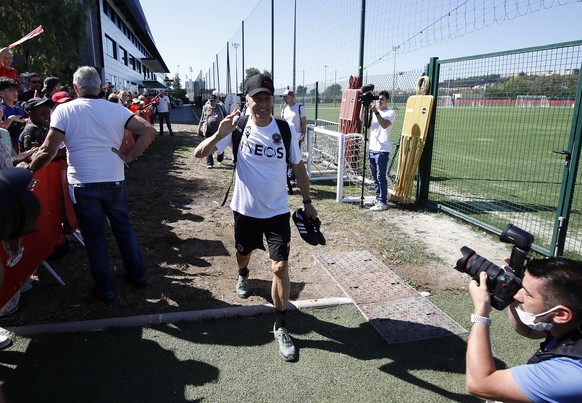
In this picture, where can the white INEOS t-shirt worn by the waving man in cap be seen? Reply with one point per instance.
(260, 189)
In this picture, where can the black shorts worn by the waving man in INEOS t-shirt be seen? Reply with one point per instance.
(249, 231)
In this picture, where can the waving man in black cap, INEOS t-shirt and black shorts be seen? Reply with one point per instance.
(259, 201)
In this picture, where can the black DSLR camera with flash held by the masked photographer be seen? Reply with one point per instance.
(502, 283)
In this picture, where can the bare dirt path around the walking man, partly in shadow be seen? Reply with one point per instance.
(187, 242)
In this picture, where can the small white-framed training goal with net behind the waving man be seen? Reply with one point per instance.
(338, 157)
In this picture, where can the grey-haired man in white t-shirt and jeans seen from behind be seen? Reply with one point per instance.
(92, 129)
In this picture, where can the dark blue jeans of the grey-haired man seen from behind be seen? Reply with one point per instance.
(94, 202)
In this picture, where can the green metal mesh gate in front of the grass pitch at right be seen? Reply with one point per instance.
(505, 143)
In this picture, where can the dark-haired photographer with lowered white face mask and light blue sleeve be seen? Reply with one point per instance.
(547, 305)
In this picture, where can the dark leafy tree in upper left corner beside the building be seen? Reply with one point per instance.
(57, 51)
